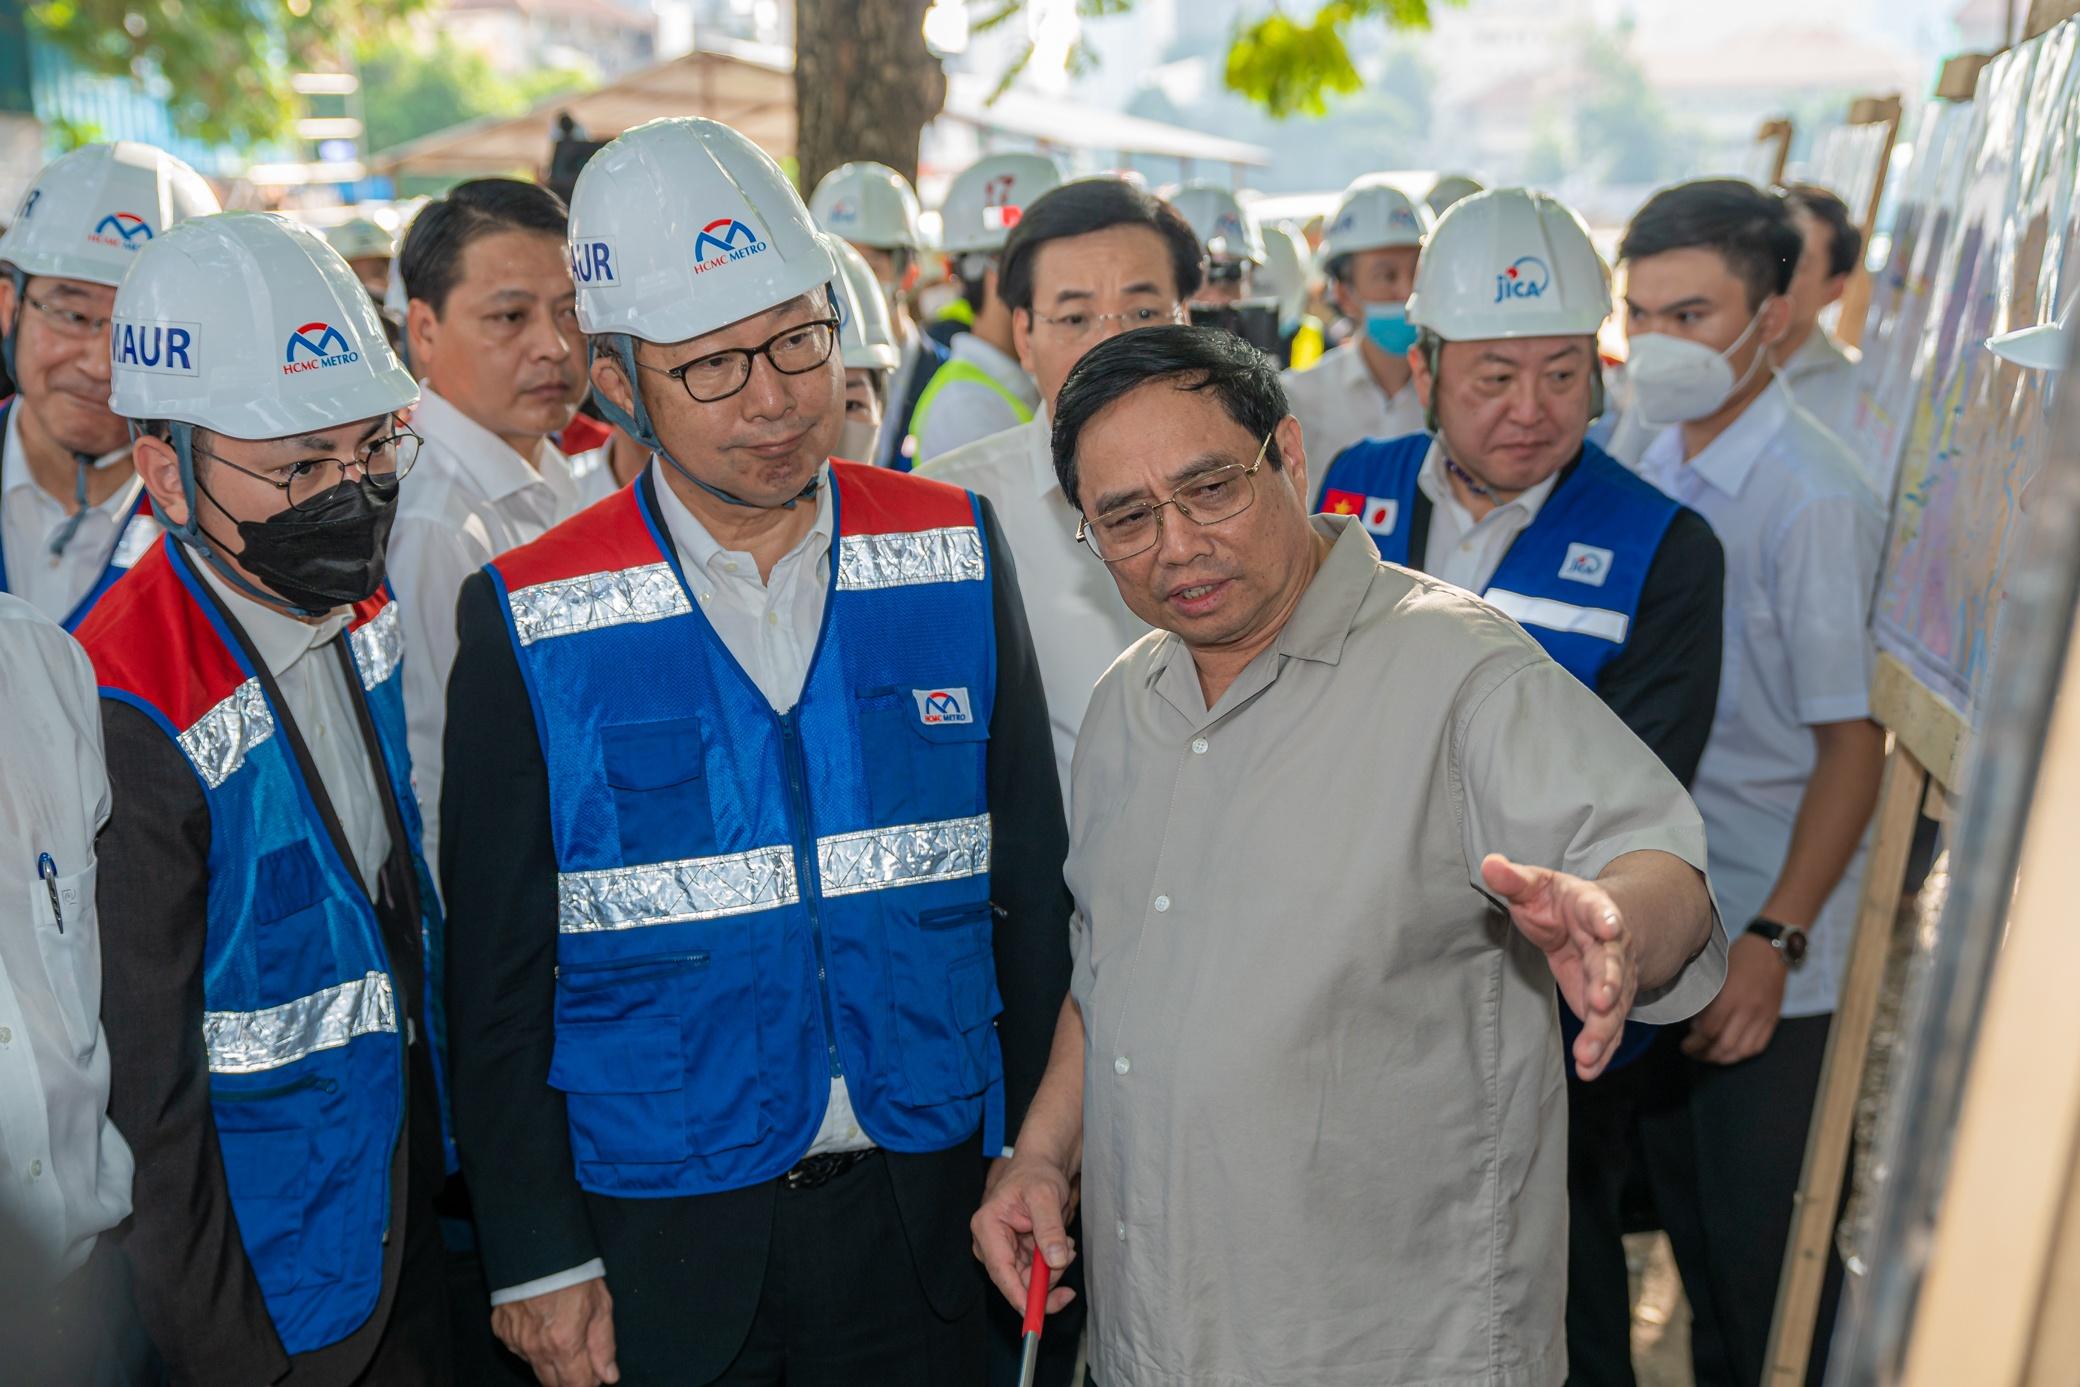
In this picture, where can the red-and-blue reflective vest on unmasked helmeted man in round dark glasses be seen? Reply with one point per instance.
(754, 904)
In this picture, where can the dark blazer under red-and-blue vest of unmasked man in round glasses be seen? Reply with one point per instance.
(687, 1272)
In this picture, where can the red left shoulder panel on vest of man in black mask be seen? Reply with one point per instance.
(151, 639)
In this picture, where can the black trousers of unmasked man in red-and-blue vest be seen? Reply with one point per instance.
(843, 1307)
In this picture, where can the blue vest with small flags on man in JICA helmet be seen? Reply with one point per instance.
(1574, 579)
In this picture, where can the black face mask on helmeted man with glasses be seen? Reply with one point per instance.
(330, 554)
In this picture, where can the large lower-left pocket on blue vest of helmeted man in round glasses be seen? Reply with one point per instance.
(658, 1057)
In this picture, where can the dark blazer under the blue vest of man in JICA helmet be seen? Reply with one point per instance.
(1665, 683)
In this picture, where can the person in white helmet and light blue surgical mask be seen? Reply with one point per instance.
(1363, 390)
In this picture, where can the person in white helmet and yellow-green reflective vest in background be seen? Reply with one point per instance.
(983, 388)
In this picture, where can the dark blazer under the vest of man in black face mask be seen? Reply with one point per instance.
(194, 1286)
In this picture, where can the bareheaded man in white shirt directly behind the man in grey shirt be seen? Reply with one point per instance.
(1089, 261)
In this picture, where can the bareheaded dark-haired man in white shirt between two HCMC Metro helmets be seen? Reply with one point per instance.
(498, 350)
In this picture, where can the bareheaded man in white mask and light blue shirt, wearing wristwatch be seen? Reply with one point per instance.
(1792, 768)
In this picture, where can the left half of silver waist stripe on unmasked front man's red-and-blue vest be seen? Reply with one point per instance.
(673, 893)
